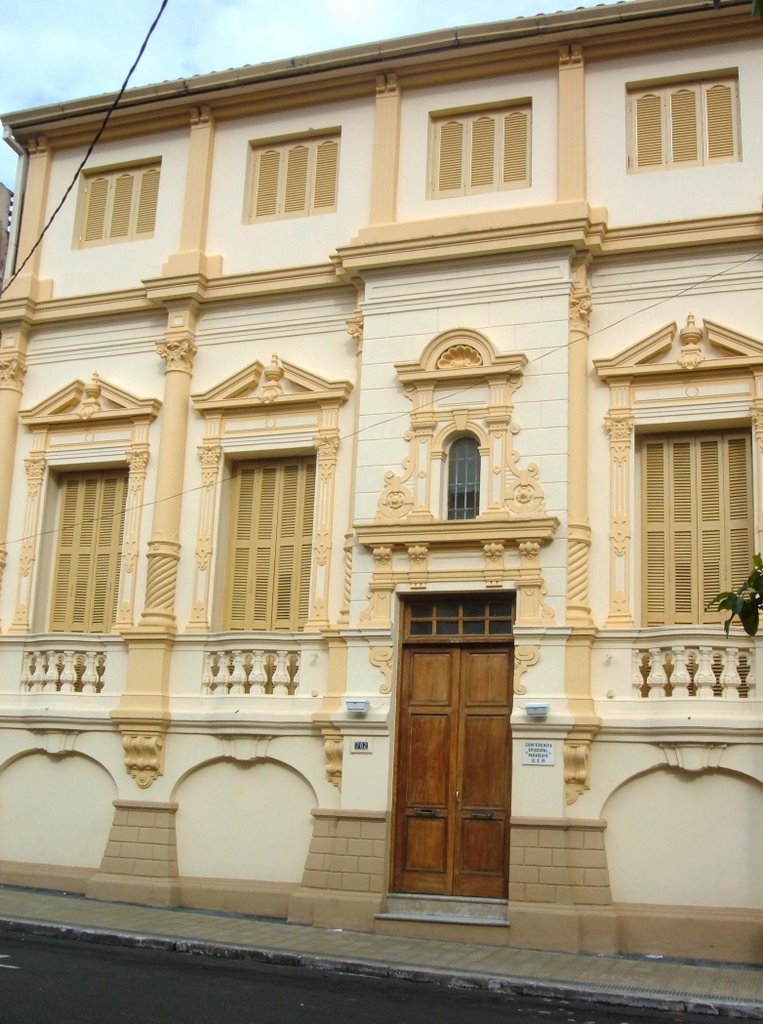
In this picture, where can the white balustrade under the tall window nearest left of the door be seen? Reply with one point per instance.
(251, 672)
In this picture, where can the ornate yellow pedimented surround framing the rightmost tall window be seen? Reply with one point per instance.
(703, 375)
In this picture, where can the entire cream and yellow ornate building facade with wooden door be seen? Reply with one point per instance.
(375, 429)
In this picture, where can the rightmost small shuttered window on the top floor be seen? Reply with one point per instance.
(684, 124)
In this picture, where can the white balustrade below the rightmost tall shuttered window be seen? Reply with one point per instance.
(719, 671)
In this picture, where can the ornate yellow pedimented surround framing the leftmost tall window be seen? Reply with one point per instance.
(86, 426)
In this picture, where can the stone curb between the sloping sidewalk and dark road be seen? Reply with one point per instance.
(503, 986)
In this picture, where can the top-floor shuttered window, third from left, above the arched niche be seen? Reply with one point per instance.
(483, 151)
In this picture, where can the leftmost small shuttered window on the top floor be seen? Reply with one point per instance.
(119, 205)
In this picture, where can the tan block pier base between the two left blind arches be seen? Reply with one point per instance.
(140, 864)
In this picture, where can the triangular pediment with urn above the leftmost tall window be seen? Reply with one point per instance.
(94, 401)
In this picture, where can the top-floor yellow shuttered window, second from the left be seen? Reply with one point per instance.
(294, 179)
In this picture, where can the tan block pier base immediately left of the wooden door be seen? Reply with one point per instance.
(346, 871)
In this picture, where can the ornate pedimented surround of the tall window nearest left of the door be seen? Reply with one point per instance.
(268, 410)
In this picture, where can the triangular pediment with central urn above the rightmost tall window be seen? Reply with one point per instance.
(699, 347)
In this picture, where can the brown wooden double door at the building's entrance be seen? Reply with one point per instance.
(453, 782)
